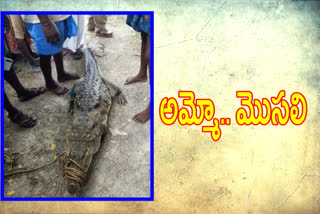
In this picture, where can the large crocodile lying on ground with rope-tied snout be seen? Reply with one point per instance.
(90, 104)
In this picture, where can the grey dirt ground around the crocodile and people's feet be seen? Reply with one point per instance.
(121, 168)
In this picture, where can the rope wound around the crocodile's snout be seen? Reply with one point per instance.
(76, 173)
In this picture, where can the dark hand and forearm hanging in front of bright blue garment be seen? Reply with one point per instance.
(49, 29)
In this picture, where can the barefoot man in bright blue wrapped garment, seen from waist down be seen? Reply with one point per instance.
(49, 33)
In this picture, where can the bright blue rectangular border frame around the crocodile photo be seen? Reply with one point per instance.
(151, 198)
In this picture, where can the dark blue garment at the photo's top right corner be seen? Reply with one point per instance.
(140, 23)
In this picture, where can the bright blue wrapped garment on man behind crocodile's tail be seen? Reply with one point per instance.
(66, 28)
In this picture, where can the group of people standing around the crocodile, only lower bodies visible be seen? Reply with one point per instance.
(51, 34)
